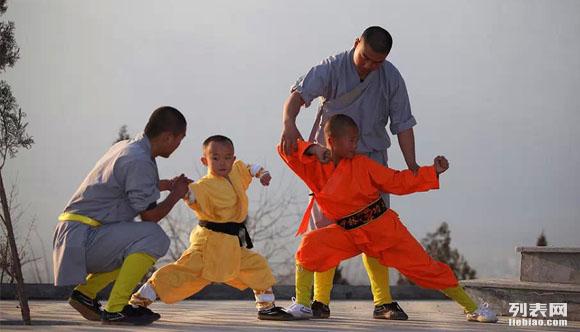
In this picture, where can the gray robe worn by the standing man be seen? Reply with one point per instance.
(380, 100)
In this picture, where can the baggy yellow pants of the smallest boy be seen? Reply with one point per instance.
(211, 257)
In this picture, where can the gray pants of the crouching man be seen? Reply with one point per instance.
(79, 249)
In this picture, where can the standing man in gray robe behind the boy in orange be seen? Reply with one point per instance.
(363, 85)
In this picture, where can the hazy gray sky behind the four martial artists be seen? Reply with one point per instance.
(493, 85)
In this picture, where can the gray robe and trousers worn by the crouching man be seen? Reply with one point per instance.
(123, 183)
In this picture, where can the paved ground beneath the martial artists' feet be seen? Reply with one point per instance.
(240, 316)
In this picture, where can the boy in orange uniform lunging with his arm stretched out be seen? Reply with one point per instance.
(347, 188)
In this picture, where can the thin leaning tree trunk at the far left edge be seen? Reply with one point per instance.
(15, 258)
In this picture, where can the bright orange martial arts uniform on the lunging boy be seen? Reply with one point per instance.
(350, 187)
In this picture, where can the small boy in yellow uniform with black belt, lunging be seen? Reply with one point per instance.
(219, 245)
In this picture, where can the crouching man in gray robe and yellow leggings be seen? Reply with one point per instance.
(97, 240)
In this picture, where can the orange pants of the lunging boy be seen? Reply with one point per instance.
(386, 239)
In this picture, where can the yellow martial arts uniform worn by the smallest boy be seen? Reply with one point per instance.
(214, 256)
